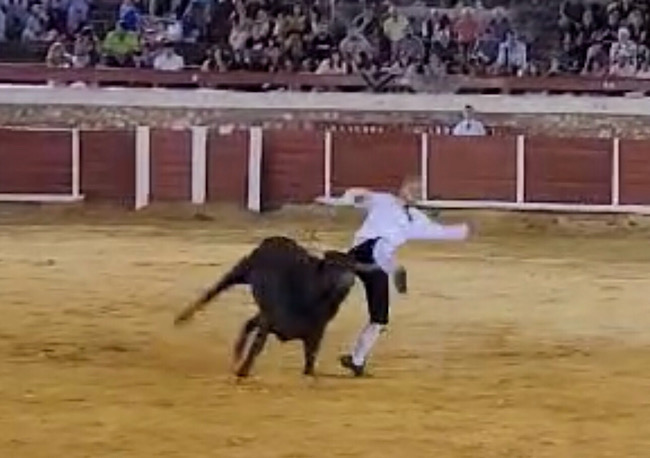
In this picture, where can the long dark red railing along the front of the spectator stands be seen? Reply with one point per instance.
(39, 74)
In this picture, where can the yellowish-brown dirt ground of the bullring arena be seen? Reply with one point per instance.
(531, 340)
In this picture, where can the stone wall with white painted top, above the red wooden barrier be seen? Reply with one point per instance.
(555, 116)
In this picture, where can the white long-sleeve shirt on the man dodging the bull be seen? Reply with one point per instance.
(388, 220)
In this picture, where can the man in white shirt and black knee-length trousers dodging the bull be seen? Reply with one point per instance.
(390, 222)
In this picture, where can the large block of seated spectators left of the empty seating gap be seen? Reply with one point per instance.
(270, 35)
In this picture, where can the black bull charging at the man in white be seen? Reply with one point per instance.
(297, 295)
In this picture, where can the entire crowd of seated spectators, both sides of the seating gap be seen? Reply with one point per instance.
(381, 44)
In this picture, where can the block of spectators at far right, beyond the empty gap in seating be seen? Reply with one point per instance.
(604, 38)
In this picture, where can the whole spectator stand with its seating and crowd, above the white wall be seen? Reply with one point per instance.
(402, 45)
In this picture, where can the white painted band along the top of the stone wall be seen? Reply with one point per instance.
(205, 98)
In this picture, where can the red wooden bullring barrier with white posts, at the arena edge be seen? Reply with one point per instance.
(265, 168)
